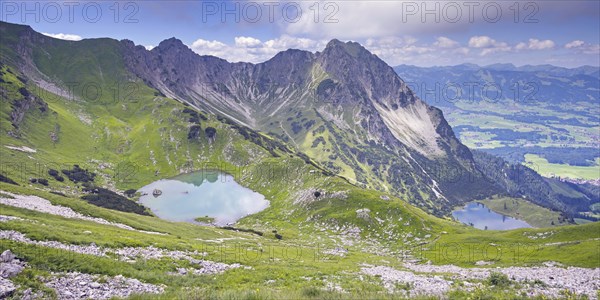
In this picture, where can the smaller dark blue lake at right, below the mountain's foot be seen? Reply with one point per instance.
(480, 216)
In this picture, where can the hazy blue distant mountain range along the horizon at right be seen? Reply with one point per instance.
(442, 86)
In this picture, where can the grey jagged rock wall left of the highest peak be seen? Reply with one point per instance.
(240, 91)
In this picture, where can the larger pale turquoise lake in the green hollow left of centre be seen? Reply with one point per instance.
(208, 193)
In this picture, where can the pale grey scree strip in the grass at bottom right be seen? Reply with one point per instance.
(429, 280)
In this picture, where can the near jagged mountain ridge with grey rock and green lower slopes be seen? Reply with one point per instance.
(344, 107)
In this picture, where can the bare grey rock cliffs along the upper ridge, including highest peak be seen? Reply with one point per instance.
(355, 80)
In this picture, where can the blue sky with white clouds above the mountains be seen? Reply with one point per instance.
(424, 33)
